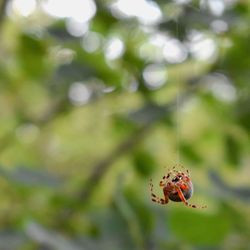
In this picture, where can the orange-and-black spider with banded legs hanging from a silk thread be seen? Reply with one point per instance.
(177, 186)
